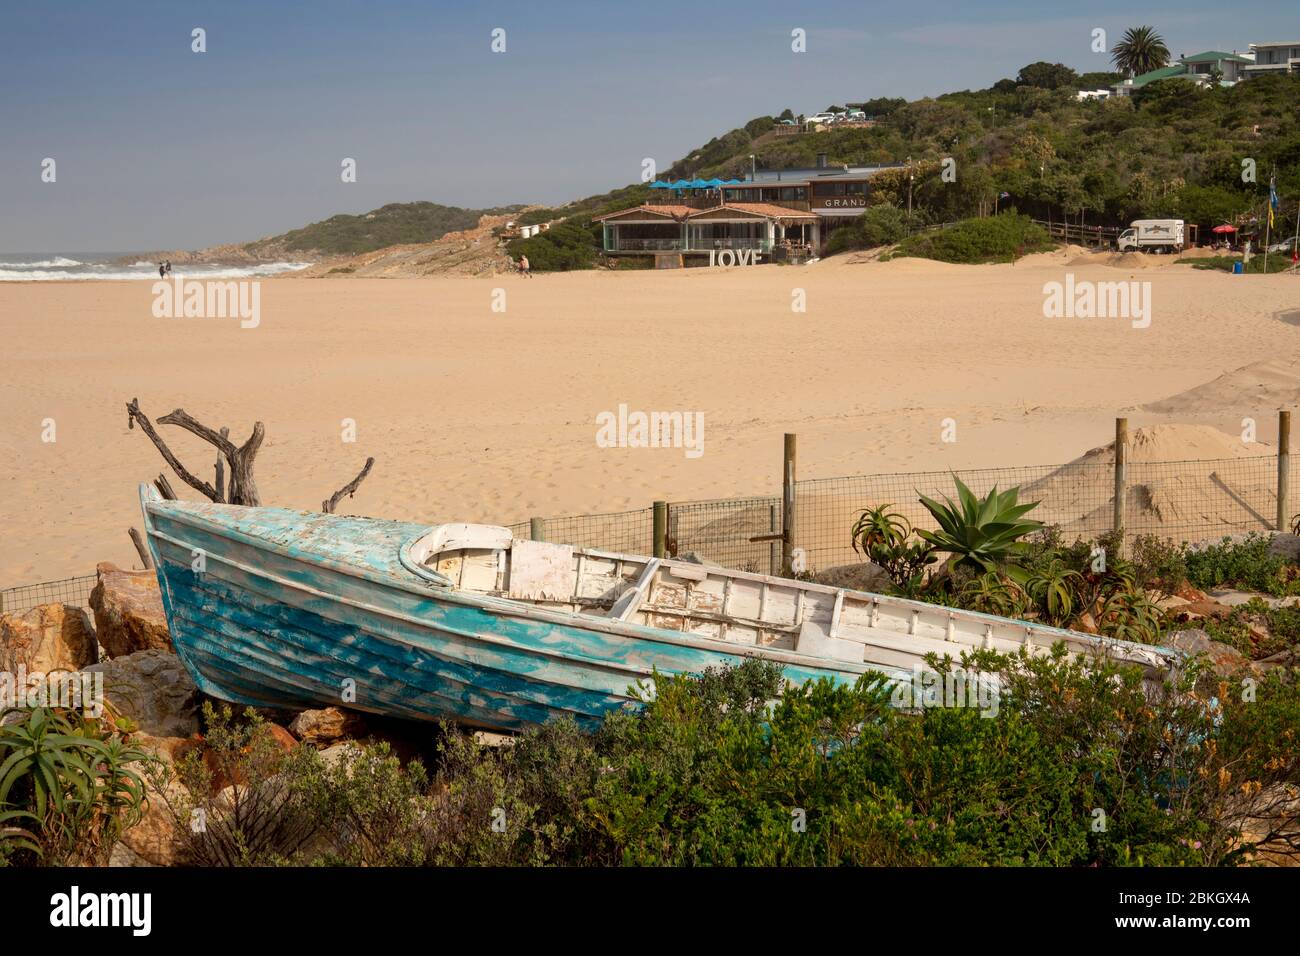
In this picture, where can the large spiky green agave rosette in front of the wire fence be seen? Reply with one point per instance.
(981, 534)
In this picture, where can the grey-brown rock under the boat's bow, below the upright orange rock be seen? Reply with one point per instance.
(154, 690)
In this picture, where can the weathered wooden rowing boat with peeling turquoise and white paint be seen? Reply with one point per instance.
(294, 609)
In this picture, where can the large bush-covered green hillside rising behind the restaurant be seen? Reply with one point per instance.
(1172, 150)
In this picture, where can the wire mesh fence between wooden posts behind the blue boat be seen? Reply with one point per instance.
(1184, 501)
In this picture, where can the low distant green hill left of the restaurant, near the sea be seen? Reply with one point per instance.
(395, 224)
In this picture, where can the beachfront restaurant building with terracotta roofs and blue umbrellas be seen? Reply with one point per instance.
(777, 214)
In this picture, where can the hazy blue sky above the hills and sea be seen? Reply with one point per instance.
(159, 148)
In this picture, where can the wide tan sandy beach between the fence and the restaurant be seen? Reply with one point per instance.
(482, 416)
